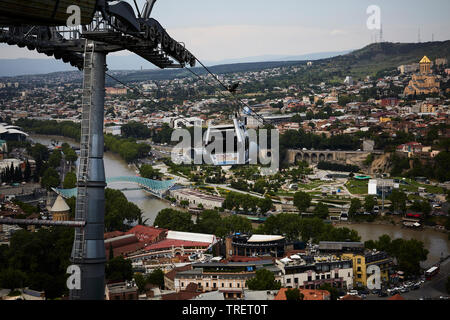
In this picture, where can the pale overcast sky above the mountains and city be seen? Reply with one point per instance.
(216, 30)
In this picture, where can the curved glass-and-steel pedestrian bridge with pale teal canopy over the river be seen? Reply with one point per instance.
(155, 187)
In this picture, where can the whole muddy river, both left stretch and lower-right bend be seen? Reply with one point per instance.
(437, 243)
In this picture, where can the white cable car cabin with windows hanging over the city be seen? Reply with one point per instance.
(219, 152)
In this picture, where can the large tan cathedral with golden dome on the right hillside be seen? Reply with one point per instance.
(424, 82)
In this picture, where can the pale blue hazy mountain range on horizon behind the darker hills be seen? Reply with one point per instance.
(16, 67)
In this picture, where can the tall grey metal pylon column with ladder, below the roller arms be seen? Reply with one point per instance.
(88, 251)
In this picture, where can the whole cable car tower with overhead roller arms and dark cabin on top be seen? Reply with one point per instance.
(106, 26)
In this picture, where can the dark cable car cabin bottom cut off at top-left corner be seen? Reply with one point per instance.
(44, 12)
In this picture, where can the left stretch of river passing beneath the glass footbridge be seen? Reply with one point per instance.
(116, 167)
